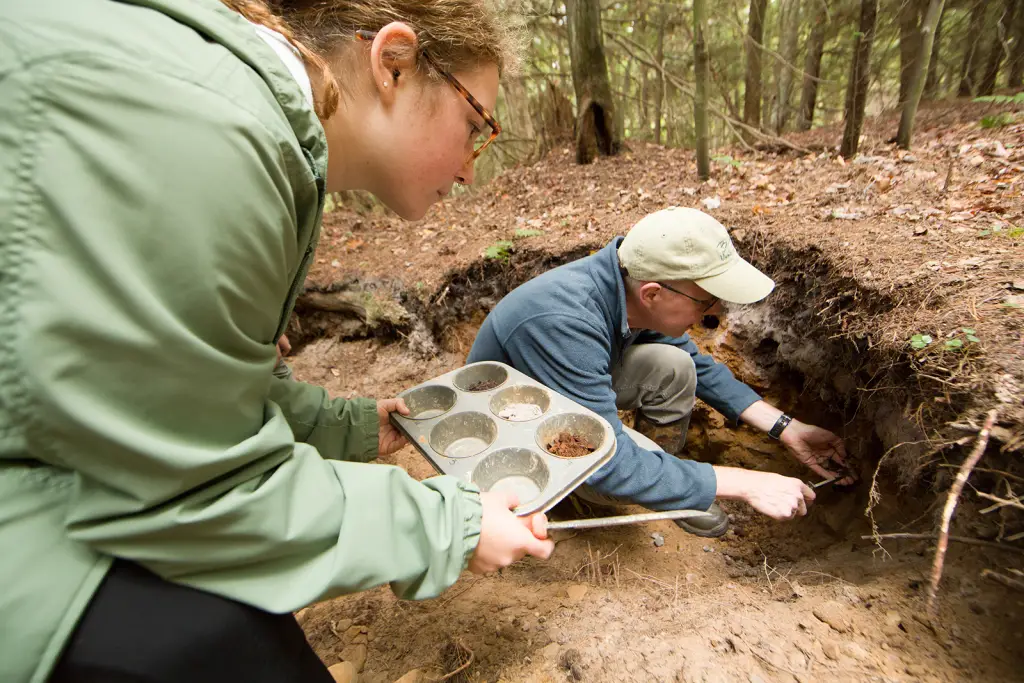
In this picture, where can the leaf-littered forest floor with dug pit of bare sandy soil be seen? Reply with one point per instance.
(871, 255)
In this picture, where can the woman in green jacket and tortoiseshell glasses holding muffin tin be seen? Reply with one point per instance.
(165, 502)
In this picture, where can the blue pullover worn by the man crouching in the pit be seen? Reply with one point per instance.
(568, 330)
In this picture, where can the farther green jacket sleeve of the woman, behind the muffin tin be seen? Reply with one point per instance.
(338, 429)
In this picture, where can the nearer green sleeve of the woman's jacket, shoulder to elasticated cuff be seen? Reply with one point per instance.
(159, 240)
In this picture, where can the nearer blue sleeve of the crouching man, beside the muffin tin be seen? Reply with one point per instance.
(571, 357)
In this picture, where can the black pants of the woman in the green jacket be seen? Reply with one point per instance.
(142, 629)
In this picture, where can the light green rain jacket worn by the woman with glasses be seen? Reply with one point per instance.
(161, 192)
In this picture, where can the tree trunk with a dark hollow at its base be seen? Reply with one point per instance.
(595, 111)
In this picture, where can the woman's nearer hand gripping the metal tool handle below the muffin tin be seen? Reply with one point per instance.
(505, 538)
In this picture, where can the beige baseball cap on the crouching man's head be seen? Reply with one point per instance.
(687, 244)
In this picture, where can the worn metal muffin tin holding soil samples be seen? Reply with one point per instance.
(488, 424)
